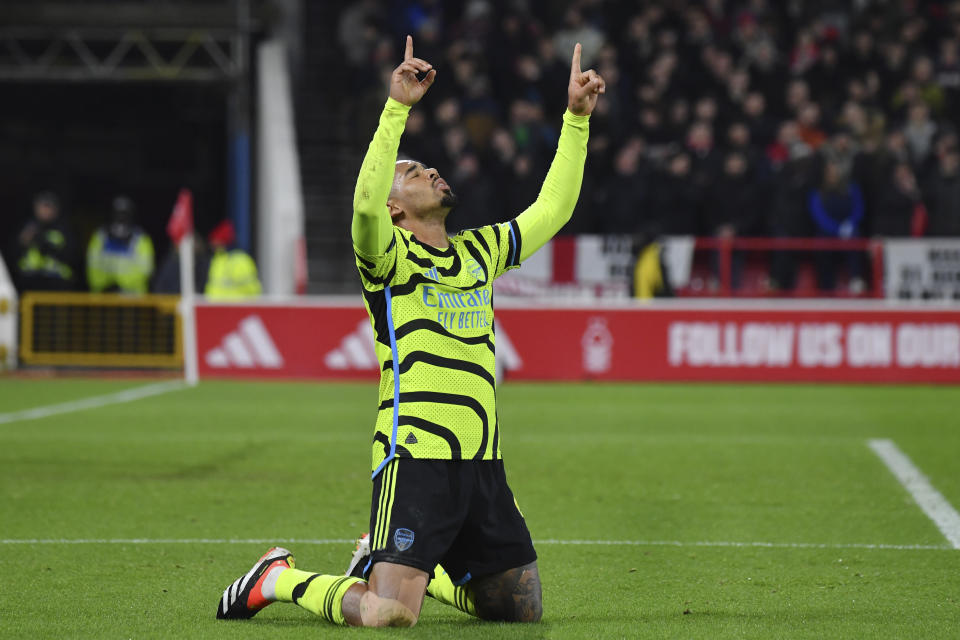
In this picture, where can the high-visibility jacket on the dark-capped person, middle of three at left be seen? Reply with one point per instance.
(124, 265)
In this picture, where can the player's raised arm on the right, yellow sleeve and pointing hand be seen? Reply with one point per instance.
(561, 188)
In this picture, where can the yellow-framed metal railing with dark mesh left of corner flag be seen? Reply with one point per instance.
(100, 330)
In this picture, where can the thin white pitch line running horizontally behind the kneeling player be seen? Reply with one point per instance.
(547, 542)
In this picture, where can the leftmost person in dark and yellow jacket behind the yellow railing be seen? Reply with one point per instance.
(44, 249)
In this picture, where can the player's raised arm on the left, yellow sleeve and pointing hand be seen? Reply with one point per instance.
(371, 228)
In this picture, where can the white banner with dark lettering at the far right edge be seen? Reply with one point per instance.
(927, 269)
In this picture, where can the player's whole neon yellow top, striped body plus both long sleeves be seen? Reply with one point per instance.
(432, 309)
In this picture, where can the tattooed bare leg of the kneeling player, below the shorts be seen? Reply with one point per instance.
(511, 596)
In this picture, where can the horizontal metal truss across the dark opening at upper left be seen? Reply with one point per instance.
(88, 54)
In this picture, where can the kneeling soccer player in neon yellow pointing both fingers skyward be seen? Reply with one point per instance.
(440, 495)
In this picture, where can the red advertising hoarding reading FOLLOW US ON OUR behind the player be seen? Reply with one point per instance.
(814, 342)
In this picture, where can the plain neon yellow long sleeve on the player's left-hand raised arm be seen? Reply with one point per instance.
(372, 229)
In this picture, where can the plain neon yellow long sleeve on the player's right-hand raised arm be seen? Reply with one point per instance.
(561, 188)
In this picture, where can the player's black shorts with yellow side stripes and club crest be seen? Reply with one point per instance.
(456, 513)
